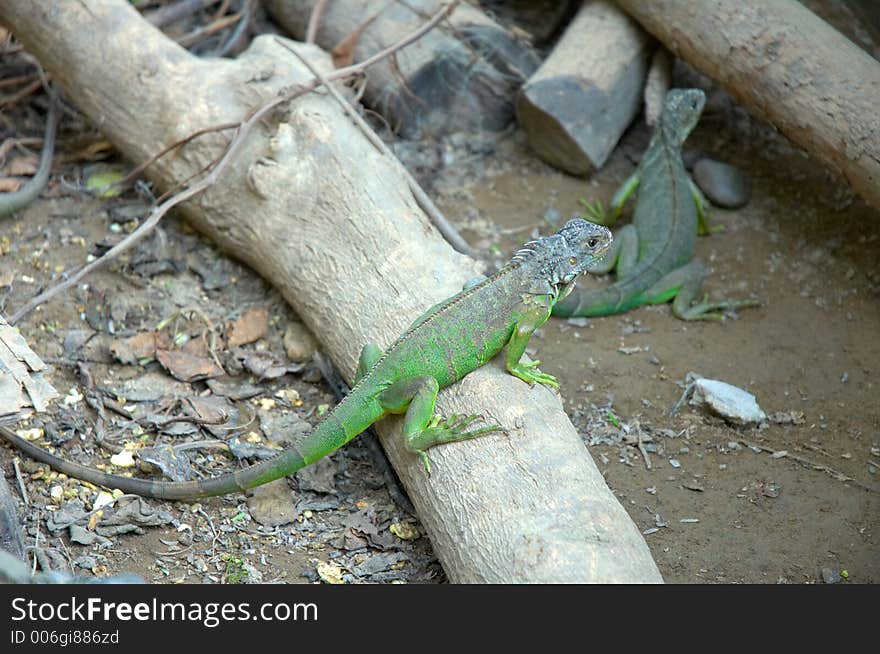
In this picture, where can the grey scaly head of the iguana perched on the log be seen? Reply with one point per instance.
(555, 261)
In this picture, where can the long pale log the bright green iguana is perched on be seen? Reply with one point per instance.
(316, 209)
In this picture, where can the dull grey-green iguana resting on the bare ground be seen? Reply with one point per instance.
(653, 254)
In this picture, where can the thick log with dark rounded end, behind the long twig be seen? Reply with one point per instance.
(462, 76)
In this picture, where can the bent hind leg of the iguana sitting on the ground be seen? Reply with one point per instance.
(682, 286)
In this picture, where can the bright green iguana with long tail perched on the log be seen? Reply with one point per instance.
(453, 338)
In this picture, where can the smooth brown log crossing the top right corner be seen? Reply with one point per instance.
(787, 66)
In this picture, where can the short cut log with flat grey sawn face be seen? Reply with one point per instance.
(577, 105)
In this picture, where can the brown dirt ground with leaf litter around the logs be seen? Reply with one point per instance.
(776, 503)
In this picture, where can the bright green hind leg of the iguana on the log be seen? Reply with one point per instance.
(422, 429)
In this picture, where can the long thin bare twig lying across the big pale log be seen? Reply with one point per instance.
(232, 149)
